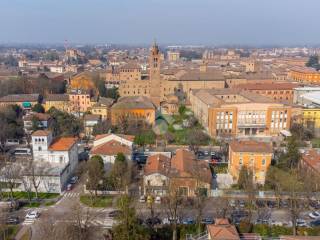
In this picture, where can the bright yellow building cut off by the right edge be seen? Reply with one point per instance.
(311, 119)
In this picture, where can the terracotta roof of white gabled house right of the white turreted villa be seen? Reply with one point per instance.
(110, 148)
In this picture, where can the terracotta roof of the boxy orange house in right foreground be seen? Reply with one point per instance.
(251, 146)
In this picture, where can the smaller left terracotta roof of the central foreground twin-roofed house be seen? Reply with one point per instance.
(157, 163)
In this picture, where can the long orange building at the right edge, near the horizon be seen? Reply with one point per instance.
(304, 75)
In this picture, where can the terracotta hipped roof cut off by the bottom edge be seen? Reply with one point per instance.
(223, 232)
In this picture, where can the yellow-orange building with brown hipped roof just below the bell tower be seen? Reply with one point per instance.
(134, 109)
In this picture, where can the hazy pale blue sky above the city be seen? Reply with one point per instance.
(209, 22)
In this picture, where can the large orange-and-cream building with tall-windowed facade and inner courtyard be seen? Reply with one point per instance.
(239, 113)
